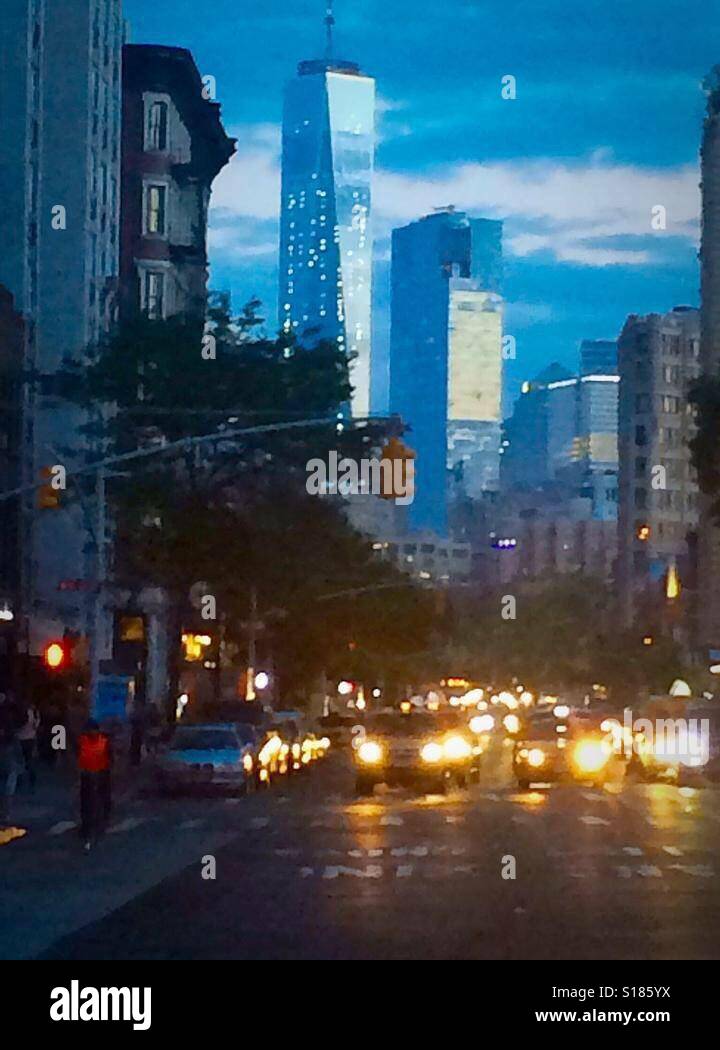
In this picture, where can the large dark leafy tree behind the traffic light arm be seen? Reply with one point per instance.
(237, 514)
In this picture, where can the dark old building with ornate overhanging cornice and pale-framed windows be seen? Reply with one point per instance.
(174, 146)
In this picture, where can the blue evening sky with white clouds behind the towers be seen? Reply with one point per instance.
(606, 125)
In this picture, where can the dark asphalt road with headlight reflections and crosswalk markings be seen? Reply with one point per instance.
(307, 871)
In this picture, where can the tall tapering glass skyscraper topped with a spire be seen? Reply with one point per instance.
(326, 235)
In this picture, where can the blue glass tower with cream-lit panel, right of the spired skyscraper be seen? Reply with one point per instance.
(447, 361)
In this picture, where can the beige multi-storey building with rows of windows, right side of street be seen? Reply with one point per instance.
(659, 496)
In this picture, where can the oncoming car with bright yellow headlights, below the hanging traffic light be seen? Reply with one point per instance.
(414, 749)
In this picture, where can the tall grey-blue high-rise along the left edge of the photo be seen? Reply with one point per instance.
(59, 205)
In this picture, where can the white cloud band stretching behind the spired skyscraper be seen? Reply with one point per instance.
(581, 213)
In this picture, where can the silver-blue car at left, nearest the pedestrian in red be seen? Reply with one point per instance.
(211, 757)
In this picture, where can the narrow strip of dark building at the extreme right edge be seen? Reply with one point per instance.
(709, 542)
